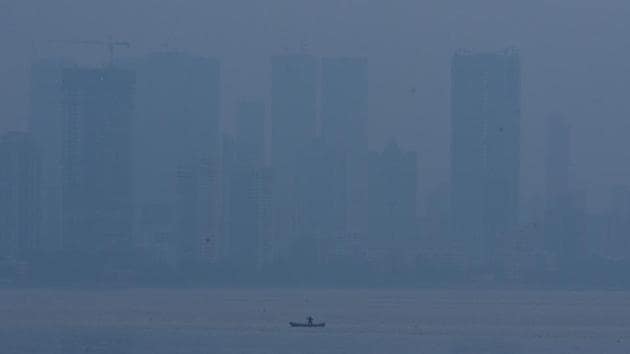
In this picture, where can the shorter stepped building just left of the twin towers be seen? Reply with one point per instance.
(246, 188)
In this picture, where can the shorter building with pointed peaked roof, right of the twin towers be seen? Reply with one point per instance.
(392, 209)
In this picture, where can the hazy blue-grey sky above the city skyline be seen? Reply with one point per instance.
(576, 60)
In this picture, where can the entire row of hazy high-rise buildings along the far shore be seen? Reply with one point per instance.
(126, 167)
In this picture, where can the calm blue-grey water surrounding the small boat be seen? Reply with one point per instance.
(255, 321)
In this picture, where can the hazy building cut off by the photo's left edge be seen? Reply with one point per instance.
(20, 209)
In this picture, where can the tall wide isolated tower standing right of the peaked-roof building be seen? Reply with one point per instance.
(485, 144)
